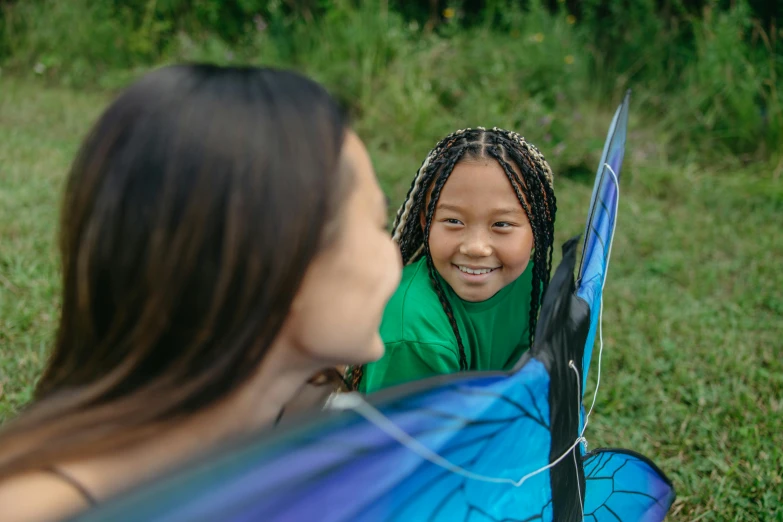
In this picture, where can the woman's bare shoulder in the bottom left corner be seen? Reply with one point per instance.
(38, 497)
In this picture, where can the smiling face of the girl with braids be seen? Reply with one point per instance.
(480, 237)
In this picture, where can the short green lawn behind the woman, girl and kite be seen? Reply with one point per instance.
(692, 375)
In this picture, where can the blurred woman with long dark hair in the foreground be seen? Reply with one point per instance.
(223, 239)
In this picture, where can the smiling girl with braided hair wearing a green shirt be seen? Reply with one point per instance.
(475, 233)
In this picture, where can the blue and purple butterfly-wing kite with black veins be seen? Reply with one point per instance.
(472, 447)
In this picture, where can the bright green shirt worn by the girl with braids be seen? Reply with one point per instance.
(420, 341)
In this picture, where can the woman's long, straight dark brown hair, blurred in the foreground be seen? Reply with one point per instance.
(191, 214)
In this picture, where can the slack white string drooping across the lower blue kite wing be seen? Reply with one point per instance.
(356, 402)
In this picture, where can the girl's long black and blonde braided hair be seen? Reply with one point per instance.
(533, 189)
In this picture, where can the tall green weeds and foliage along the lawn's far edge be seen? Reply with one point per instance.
(704, 74)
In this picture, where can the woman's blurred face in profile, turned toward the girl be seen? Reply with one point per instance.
(336, 315)
